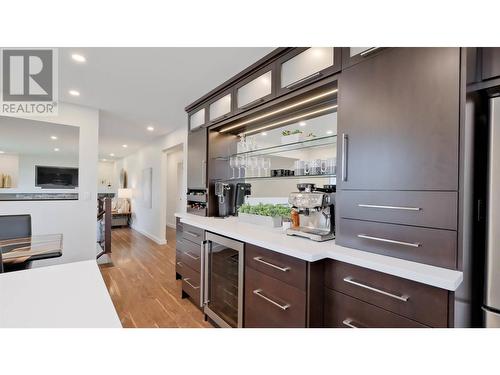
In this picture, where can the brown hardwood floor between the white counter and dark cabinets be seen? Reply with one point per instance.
(142, 285)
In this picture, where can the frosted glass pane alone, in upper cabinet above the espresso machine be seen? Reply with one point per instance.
(306, 64)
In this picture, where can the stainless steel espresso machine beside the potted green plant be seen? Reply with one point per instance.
(316, 209)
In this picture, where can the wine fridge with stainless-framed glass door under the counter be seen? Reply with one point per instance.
(223, 264)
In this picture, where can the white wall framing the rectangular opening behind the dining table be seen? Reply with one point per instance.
(76, 220)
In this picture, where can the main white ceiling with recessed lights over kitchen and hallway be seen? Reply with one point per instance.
(138, 87)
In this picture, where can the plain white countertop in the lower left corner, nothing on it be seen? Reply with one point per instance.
(69, 295)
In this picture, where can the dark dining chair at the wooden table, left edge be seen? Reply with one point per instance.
(11, 227)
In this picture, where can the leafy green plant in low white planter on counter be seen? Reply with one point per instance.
(270, 215)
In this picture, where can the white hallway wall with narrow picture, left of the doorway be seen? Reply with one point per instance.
(152, 222)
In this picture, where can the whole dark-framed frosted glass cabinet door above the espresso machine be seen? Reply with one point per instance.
(302, 66)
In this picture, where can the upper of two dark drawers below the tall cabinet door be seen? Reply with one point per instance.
(421, 208)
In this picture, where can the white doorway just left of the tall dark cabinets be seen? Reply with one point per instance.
(175, 183)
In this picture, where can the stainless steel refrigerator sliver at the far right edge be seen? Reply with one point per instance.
(491, 307)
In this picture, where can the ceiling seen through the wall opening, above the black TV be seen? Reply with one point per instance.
(31, 137)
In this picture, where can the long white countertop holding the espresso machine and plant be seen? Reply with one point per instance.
(275, 239)
